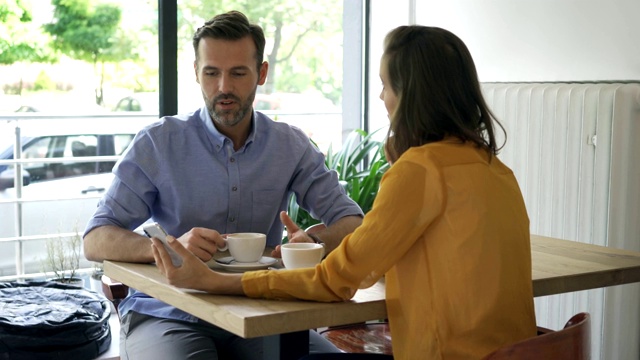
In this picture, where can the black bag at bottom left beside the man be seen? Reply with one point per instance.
(50, 320)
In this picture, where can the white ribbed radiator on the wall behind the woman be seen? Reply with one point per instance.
(575, 150)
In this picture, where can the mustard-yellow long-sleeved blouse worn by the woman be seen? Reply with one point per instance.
(450, 231)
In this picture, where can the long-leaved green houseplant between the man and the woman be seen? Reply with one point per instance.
(360, 165)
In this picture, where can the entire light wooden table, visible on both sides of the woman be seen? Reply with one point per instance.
(559, 266)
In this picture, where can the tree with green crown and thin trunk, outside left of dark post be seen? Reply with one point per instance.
(90, 33)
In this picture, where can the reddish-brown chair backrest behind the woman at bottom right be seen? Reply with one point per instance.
(570, 343)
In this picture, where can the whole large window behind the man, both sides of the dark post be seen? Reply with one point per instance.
(313, 59)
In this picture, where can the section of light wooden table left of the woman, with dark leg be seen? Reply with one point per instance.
(283, 324)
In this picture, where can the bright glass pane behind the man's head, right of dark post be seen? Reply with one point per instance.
(304, 51)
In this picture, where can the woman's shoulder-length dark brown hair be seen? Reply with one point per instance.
(434, 78)
